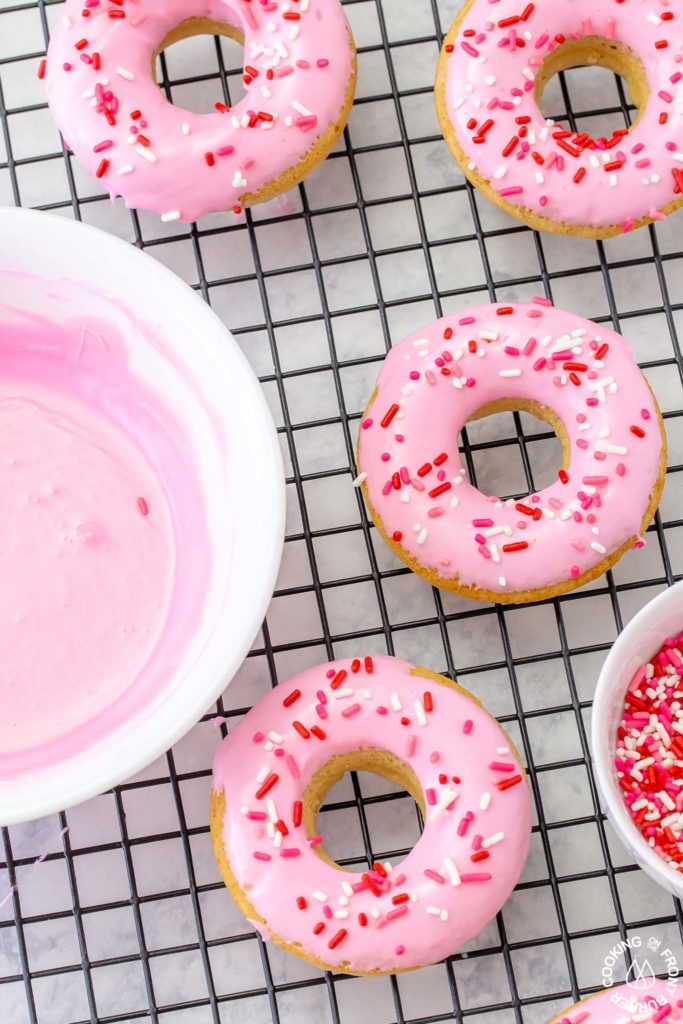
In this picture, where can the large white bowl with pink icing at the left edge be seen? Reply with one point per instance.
(142, 511)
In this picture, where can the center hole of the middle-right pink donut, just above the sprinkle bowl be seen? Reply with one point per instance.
(514, 453)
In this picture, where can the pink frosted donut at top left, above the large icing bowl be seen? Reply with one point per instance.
(301, 78)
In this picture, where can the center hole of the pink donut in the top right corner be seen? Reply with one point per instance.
(590, 65)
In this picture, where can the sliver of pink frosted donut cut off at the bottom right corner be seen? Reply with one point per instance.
(654, 1000)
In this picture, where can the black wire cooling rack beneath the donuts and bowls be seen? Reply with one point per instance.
(390, 210)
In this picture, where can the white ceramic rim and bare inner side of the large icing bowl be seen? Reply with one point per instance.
(236, 451)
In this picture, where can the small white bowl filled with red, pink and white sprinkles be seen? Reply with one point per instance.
(637, 739)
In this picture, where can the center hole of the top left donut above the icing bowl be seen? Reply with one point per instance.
(196, 60)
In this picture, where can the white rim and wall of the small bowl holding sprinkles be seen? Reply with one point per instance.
(635, 647)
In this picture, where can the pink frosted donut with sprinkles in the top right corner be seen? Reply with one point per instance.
(496, 62)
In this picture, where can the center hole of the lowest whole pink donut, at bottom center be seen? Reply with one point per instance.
(361, 820)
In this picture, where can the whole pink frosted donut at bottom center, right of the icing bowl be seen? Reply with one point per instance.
(418, 730)
